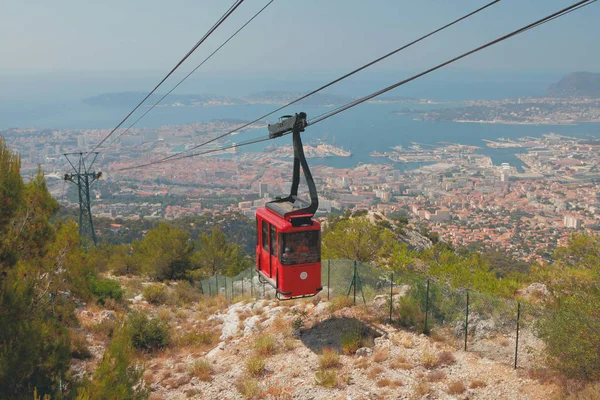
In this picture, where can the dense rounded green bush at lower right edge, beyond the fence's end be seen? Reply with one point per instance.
(571, 336)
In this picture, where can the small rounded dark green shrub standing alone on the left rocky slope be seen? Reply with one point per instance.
(148, 333)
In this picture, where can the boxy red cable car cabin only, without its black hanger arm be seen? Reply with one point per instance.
(288, 253)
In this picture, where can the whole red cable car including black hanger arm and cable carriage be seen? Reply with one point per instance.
(288, 245)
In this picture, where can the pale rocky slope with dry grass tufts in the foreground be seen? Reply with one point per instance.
(273, 350)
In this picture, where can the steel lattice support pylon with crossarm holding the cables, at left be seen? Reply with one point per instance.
(82, 177)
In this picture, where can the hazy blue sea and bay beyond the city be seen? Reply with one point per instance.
(361, 130)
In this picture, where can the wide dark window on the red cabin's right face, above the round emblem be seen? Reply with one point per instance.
(300, 247)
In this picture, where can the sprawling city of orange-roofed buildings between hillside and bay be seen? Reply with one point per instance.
(454, 191)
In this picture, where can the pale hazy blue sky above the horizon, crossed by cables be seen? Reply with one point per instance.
(131, 42)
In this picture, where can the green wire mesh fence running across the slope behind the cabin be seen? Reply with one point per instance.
(496, 328)
